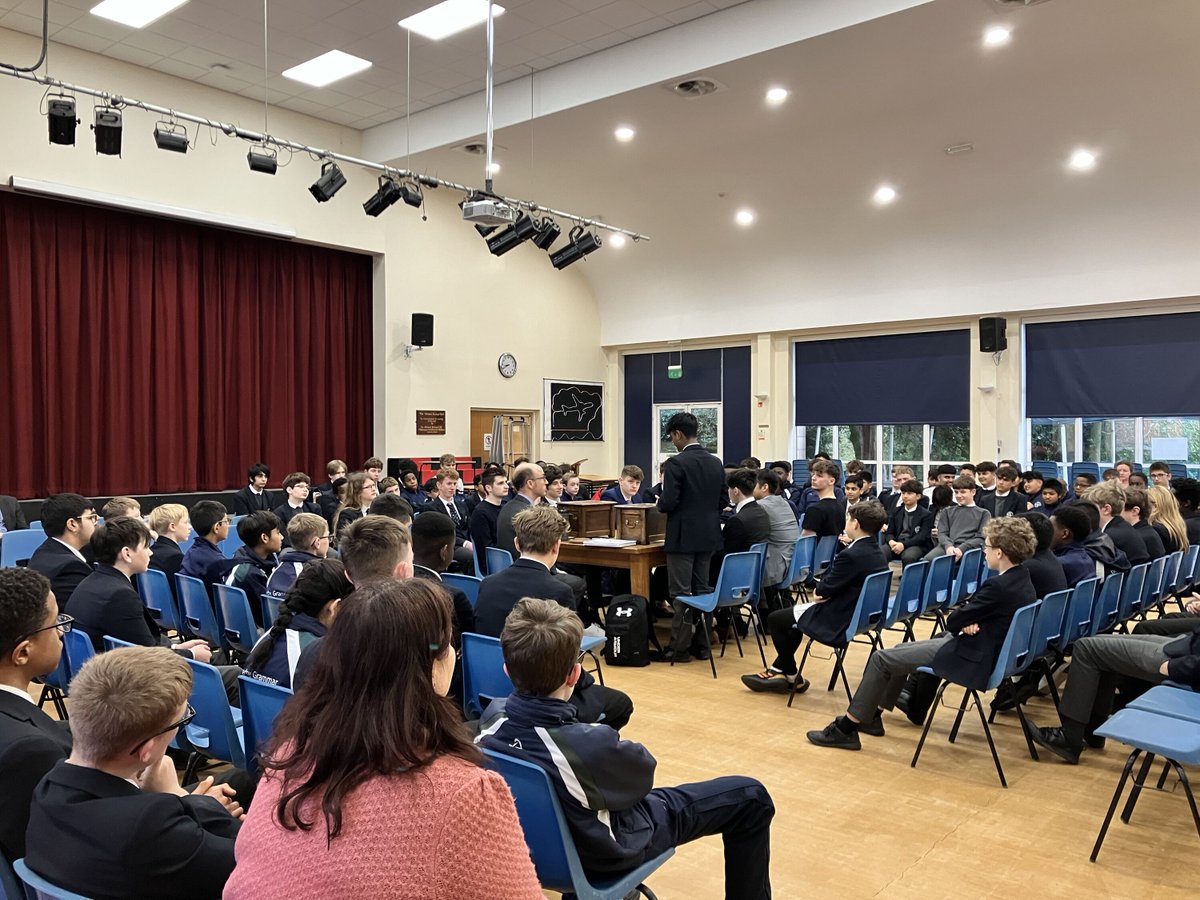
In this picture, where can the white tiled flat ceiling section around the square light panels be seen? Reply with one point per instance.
(532, 35)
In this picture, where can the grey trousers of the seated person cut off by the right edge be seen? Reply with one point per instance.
(1097, 663)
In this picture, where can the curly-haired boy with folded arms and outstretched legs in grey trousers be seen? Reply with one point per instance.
(967, 653)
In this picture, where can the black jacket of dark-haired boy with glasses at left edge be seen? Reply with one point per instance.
(31, 745)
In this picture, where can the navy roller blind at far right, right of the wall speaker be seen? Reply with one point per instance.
(1141, 365)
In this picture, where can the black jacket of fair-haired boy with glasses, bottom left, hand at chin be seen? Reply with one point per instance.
(100, 836)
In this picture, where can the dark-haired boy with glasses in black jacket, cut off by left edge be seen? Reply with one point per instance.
(31, 741)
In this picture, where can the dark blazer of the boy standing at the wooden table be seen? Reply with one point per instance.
(693, 485)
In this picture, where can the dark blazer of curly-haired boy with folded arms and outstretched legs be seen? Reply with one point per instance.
(969, 659)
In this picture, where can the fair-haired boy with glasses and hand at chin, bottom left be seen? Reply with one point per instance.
(112, 820)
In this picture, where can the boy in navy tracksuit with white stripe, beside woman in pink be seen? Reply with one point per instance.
(607, 785)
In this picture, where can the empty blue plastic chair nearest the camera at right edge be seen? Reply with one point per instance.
(1177, 740)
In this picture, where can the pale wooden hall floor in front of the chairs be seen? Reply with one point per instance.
(866, 825)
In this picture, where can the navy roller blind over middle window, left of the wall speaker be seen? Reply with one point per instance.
(891, 380)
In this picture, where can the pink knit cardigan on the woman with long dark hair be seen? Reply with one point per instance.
(447, 831)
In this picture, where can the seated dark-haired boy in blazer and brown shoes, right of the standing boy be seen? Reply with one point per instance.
(826, 619)
